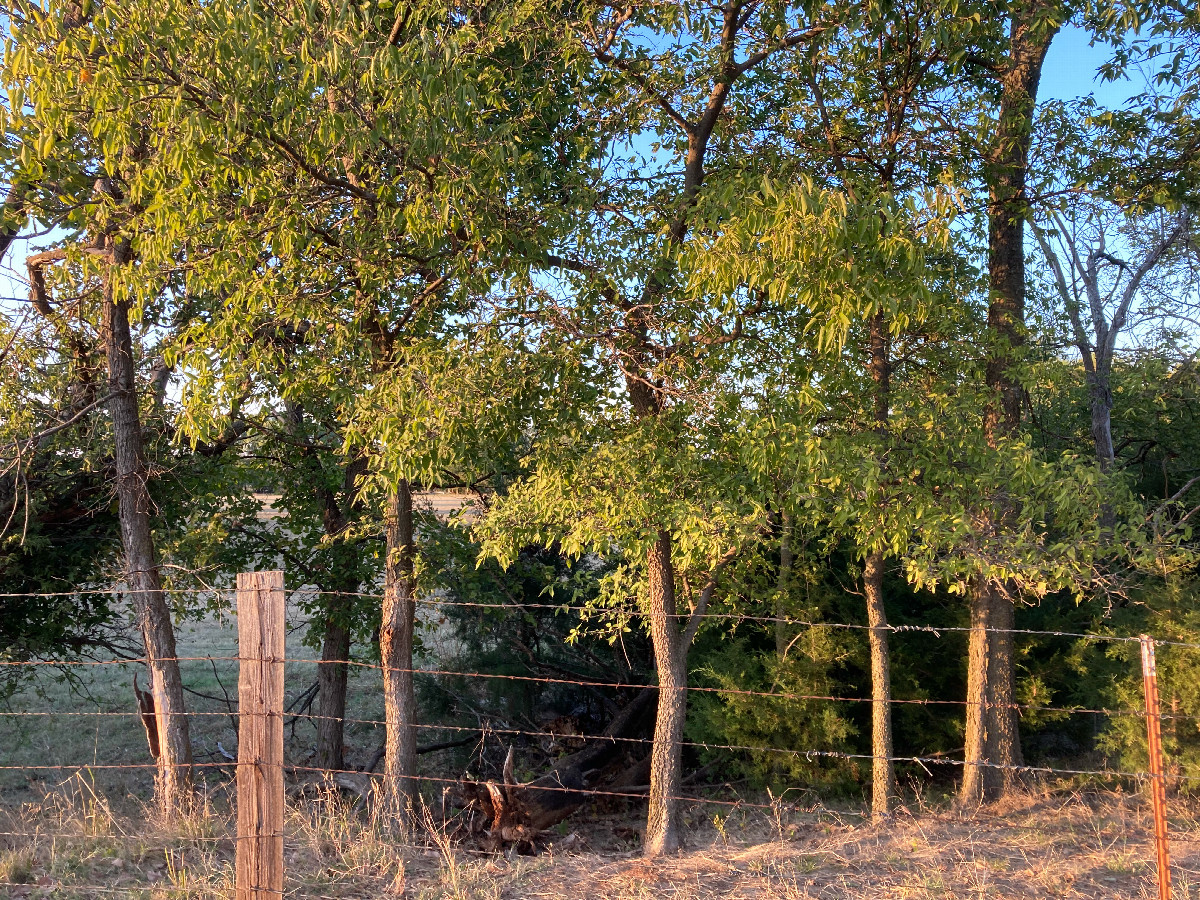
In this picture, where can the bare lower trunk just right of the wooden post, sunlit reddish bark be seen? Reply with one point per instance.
(397, 653)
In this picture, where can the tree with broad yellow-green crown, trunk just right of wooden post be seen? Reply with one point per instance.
(280, 134)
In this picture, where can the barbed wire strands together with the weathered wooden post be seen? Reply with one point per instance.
(274, 596)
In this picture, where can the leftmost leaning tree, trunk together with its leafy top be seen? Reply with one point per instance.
(83, 184)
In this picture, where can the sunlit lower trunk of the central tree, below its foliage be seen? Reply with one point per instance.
(662, 825)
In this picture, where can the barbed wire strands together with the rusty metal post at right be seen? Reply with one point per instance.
(1155, 777)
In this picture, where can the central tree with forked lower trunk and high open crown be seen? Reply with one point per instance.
(679, 97)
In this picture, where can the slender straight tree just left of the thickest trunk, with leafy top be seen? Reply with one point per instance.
(866, 113)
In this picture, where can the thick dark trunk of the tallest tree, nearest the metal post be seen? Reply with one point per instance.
(991, 677)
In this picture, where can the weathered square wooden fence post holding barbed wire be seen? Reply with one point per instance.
(261, 631)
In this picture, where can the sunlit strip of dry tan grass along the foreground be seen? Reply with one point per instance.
(1048, 845)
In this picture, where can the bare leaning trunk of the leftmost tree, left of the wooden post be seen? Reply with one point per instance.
(175, 759)
